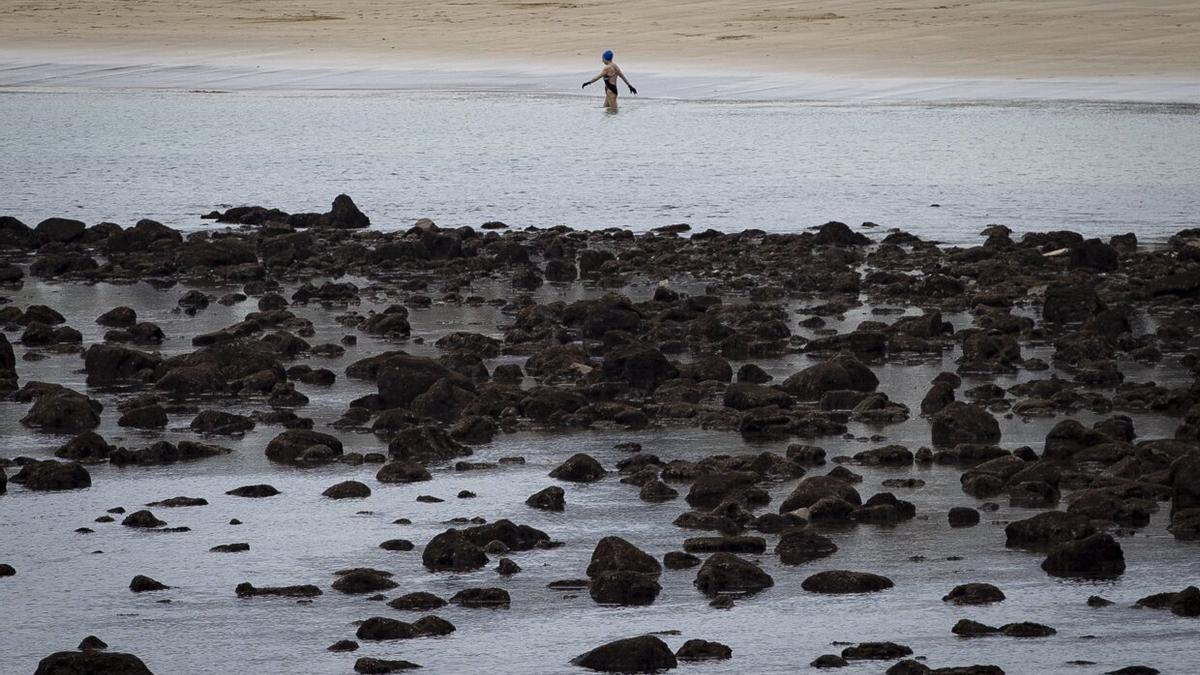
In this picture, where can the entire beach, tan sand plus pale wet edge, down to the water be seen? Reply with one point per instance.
(1082, 50)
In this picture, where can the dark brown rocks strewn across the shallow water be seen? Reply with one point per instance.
(683, 359)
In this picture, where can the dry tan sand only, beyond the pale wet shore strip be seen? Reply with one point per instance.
(1095, 40)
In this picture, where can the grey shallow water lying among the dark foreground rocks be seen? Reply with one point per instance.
(64, 590)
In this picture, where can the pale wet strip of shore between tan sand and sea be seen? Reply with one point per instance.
(33, 71)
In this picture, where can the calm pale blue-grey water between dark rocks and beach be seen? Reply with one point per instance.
(459, 159)
